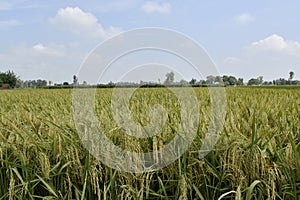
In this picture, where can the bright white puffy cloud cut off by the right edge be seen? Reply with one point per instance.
(277, 43)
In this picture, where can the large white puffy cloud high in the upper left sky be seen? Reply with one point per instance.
(82, 23)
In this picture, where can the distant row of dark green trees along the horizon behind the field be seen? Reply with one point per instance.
(9, 79)
